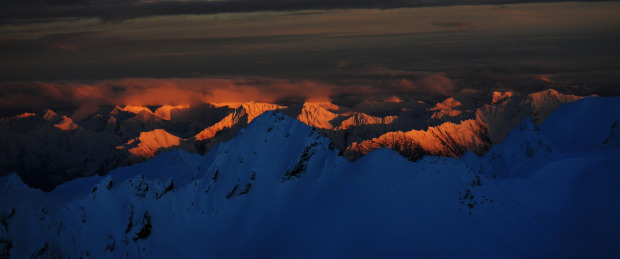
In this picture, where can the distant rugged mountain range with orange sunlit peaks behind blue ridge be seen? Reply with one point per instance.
(48, 148)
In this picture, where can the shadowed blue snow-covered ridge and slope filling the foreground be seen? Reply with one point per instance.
(279, 189)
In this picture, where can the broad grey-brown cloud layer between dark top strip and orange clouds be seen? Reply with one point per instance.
(319, 45)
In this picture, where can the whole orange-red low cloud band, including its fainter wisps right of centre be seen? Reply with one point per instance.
(177, 91)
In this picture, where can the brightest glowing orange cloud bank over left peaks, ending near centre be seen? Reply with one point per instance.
(148, 91)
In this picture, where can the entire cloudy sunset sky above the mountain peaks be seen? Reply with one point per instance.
(60, 53)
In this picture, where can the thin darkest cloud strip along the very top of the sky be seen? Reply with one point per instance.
(118, 10)
